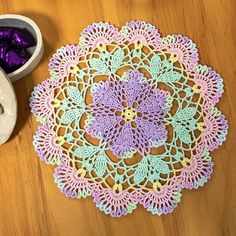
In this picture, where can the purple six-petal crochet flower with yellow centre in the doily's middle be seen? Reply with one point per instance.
(128, 115)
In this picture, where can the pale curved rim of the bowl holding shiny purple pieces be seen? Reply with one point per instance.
(38, 47)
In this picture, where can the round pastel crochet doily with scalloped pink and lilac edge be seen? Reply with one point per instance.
(129, 118)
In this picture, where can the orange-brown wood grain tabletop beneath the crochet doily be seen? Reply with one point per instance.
(30, 202)
